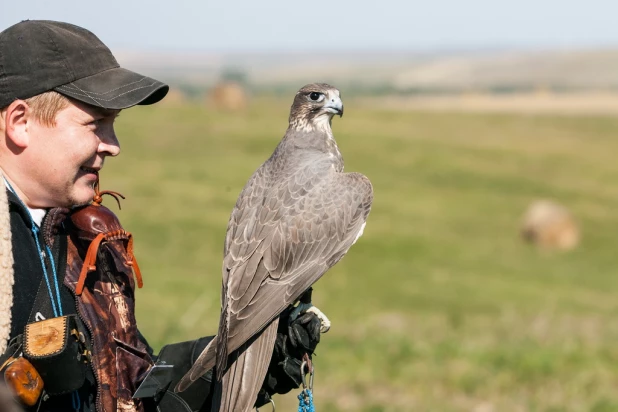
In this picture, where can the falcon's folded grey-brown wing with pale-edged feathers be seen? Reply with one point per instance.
(277, 249)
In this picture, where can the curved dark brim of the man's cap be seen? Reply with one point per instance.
(116, 88)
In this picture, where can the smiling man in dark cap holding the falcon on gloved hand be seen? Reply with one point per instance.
(65, 261)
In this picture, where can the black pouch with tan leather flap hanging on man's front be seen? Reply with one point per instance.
(56, 348)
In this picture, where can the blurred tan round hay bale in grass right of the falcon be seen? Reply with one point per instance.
(550, 225)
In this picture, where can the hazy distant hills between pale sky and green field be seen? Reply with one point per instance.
(389, 71)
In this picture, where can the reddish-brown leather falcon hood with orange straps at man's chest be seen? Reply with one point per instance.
(94, 225)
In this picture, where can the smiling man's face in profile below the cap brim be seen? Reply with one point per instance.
(65, 159)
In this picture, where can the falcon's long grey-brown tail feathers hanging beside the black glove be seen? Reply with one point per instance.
(245, 375)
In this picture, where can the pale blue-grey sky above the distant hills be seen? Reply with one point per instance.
(335, 25)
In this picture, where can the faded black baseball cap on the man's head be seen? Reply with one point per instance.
(37, 56)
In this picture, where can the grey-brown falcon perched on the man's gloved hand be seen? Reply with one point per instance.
(296, 217)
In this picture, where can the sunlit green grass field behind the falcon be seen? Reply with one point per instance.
(439, 306)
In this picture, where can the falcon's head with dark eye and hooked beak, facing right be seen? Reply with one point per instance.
(314, 107)
